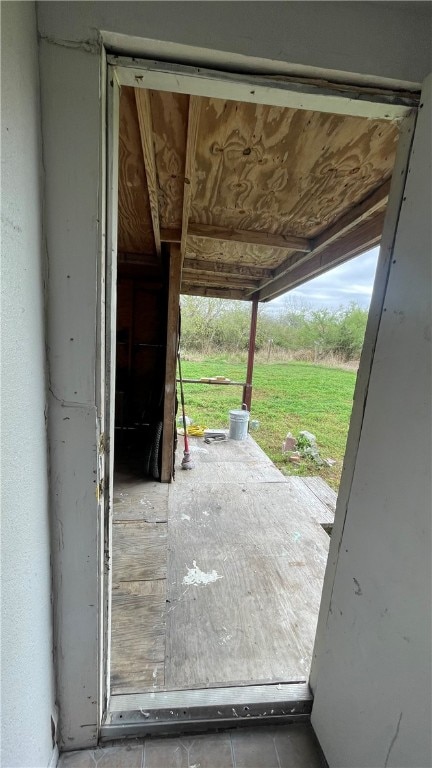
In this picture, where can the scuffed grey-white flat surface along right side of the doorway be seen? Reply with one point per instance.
(373, 684)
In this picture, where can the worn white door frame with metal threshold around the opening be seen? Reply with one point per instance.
(175, 711)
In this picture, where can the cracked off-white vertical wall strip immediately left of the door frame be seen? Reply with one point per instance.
(72, 162)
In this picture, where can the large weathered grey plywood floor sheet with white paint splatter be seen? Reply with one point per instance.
(257, 614)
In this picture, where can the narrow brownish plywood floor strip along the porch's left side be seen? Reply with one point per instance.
(139, 558)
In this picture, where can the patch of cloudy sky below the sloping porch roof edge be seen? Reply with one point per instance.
(350, 282)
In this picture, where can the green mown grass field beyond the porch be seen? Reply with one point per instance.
(287, 397)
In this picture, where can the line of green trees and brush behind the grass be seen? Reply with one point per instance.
(211, 326)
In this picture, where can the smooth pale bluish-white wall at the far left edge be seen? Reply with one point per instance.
(26, 642)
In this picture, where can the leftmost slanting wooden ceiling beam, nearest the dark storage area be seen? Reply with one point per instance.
(142, 99)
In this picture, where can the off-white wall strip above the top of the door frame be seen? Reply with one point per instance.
(379, 40)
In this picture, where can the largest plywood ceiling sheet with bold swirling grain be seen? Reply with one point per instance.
(283, 170)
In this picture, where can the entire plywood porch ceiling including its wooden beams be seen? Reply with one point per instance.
(259, 198)
